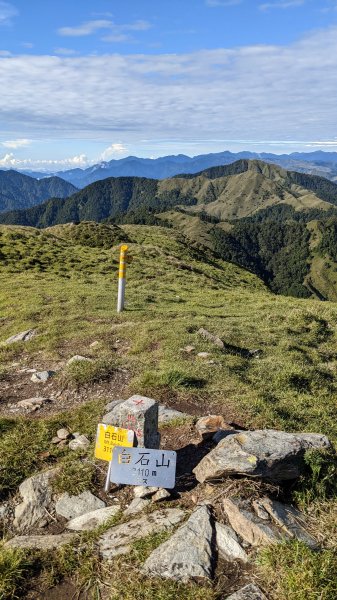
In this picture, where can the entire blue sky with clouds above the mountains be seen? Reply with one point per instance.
(88, 81)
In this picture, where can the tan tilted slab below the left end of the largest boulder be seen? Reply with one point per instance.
(249, 526)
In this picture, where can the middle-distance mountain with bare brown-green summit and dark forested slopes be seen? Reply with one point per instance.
(279, 224)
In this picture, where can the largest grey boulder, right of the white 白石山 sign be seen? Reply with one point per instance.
(269, 454)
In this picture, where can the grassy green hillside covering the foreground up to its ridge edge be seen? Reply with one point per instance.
(63, 282)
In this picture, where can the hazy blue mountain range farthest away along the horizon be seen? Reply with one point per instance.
(319, 163)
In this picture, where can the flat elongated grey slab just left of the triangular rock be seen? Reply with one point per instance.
(118, 540)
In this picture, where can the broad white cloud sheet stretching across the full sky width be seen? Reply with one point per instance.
(253, 92)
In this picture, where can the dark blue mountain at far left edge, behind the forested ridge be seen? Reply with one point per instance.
(19, 191)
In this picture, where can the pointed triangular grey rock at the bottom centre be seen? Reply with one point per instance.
(188, 553)
